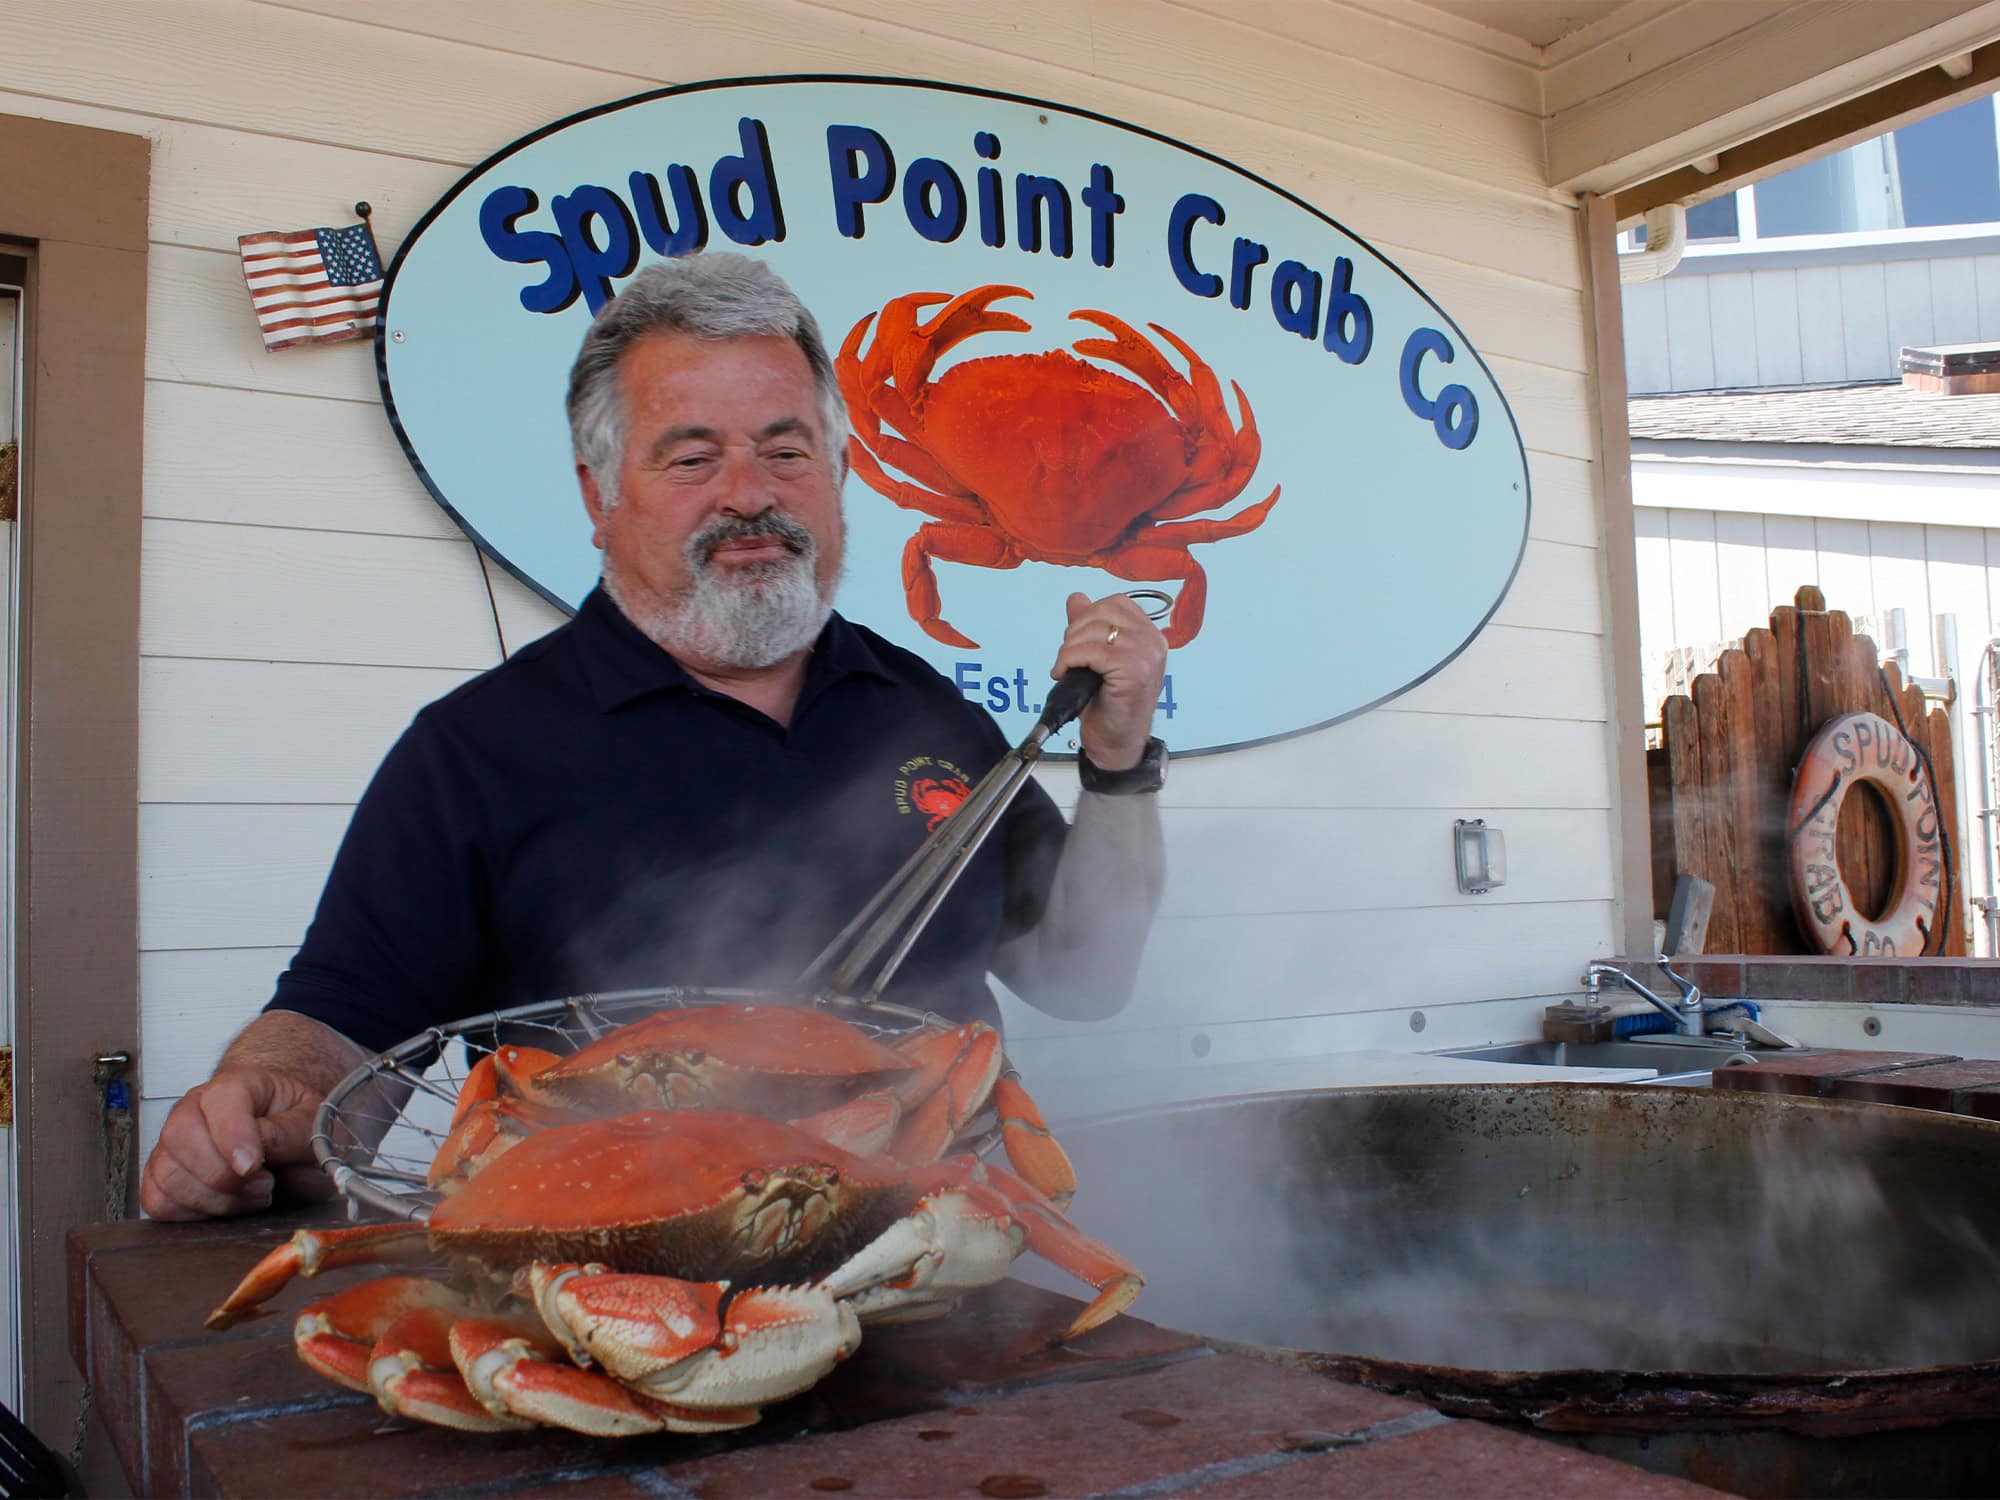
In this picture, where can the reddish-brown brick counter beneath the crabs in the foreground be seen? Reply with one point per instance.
(975, 1405)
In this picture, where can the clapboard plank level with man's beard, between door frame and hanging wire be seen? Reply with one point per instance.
(259, 593)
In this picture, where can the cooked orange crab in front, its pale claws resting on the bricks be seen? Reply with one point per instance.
(663, 1271)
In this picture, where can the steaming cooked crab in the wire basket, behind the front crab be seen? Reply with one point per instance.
(907, 1101)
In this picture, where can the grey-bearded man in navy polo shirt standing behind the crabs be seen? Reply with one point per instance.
(703, 775)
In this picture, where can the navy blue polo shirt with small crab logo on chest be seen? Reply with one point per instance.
(591, 819)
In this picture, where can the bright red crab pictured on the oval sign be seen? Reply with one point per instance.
(1043, 457)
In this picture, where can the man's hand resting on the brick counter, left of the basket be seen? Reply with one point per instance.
(227, 1145)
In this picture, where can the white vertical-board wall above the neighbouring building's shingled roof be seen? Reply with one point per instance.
(1791, 319)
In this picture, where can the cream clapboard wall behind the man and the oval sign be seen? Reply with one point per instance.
(303, 597)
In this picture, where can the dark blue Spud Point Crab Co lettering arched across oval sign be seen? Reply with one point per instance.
(595, 235)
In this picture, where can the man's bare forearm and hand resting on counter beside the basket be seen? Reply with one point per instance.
(229, 1145)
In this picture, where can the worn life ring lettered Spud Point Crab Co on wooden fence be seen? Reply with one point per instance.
(1845, 753)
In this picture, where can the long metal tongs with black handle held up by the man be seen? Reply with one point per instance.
(899, 913)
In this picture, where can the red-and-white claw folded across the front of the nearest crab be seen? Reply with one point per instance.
(691, 1343)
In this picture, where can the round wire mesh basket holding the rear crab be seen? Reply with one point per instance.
(383, 1125)
